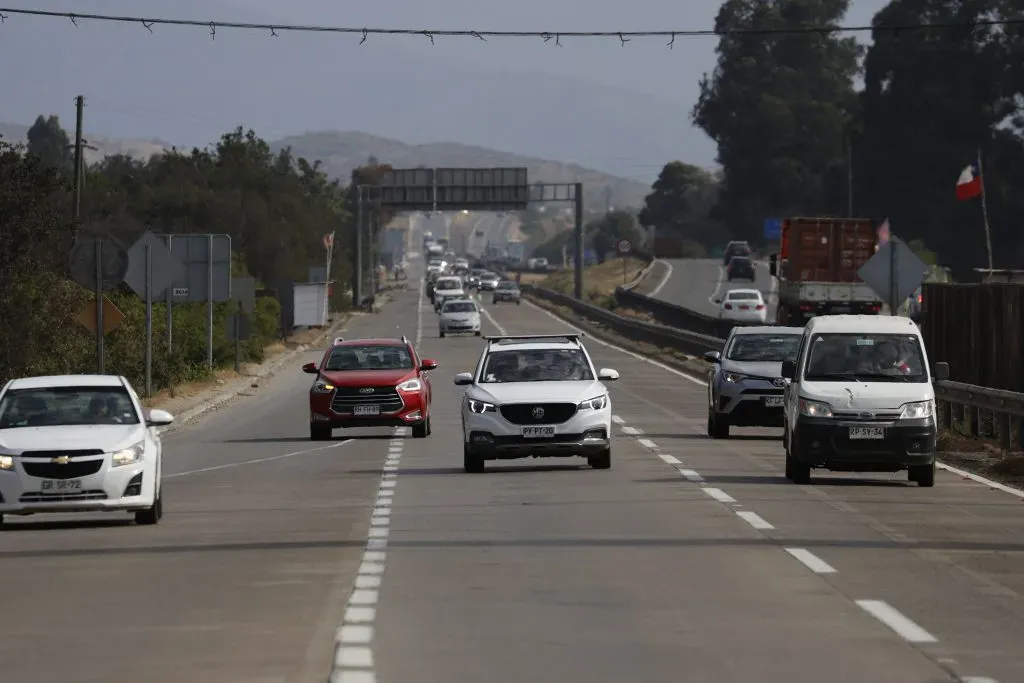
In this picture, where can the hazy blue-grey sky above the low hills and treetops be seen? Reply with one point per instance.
(136, 105)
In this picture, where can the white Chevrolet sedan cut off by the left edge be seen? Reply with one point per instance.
(79, 444)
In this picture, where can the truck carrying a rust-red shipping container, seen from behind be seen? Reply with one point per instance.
(817, 269)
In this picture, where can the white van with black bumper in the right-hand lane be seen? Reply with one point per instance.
(861, 400)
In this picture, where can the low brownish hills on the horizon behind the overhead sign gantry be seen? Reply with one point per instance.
(340, 153)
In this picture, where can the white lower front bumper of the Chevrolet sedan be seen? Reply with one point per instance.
(126, 488)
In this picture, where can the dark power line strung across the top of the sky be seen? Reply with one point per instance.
(547, 36)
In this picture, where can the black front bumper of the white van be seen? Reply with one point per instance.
(827, 444)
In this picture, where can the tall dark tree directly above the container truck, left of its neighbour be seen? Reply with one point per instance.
(779, 107)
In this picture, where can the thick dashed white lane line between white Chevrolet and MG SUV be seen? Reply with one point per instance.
(354, 657)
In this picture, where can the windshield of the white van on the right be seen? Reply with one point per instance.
(854, 358)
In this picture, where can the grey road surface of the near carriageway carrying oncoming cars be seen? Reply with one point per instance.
(690, 561)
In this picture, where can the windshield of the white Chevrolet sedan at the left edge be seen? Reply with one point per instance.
(67, 406)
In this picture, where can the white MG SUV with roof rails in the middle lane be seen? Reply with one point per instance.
(536, 396)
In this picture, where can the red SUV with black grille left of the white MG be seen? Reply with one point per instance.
(370, 383)
